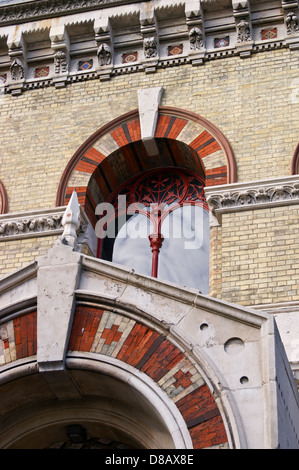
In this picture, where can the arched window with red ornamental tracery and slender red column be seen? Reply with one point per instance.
(158, 224)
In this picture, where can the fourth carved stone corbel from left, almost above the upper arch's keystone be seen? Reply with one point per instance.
(150, 33)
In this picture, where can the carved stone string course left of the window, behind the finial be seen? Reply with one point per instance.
(36, 224)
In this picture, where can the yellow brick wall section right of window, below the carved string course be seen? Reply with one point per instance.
(259, 256)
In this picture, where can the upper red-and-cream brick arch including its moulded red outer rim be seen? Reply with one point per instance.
(116, 152)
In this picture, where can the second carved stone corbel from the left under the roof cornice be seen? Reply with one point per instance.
(60, 44)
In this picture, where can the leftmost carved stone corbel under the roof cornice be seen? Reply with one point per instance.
(17, 50)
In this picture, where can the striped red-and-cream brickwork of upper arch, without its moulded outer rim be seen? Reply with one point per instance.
(100, 171)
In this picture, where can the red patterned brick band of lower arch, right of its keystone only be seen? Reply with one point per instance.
(134, 343)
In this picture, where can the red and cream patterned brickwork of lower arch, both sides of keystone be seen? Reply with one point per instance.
(138, 345)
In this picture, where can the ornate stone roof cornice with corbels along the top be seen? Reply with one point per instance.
(145, 44)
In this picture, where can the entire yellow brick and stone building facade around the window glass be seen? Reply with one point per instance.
(94, 97)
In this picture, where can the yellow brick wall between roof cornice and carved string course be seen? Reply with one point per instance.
(248, 100)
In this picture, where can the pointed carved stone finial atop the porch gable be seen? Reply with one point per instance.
(71, 221)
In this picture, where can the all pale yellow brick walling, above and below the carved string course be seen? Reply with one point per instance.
(249, 100)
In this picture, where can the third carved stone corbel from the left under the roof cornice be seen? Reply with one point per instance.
(105, 49)
